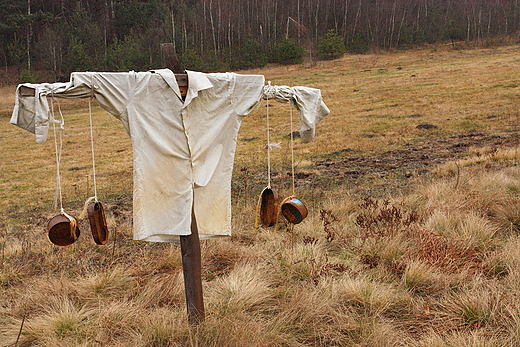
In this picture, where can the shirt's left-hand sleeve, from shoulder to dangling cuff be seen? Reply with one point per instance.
(112, 90)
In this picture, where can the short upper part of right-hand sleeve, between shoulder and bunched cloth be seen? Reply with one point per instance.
(247, 92)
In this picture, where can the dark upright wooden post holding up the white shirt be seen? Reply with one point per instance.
(190, 244)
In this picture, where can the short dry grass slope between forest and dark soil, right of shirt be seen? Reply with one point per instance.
(370, 95)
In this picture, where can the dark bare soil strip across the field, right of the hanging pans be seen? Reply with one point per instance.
(392, 170)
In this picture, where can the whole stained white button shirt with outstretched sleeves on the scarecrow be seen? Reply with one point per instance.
(183, 150)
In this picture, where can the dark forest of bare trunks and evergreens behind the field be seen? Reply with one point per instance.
(210, 35)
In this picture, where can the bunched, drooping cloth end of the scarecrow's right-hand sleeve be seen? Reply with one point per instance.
(308, 102)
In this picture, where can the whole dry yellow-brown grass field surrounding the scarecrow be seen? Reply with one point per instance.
(413, 235)
